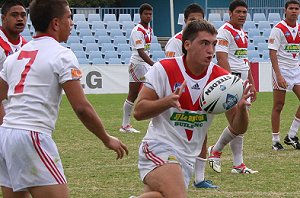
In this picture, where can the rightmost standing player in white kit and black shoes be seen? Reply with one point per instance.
(284, 51)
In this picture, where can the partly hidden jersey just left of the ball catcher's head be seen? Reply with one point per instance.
(174, 46)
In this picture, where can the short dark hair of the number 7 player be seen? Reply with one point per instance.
(42, 12)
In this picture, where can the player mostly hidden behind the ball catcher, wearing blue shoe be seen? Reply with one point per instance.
(174, 48)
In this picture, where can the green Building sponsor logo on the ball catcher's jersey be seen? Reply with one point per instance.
(188, 119)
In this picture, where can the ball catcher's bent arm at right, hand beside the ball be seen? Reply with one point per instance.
(238, 116)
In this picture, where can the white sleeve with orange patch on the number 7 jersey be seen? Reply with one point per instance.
(70, 67)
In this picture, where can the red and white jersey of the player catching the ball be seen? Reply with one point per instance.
(183, 130)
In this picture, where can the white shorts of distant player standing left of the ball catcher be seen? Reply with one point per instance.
(137, 72)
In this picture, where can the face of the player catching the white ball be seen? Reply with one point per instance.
(201, 50)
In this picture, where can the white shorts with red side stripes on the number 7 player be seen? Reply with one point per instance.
(28, 159)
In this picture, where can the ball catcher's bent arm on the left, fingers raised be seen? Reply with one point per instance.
(149, 105)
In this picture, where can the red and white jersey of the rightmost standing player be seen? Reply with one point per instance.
(285, 40)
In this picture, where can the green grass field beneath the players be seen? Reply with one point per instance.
(93, 172)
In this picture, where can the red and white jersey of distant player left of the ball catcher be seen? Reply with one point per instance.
(140, 39)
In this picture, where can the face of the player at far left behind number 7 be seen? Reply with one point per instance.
(15, 20)
